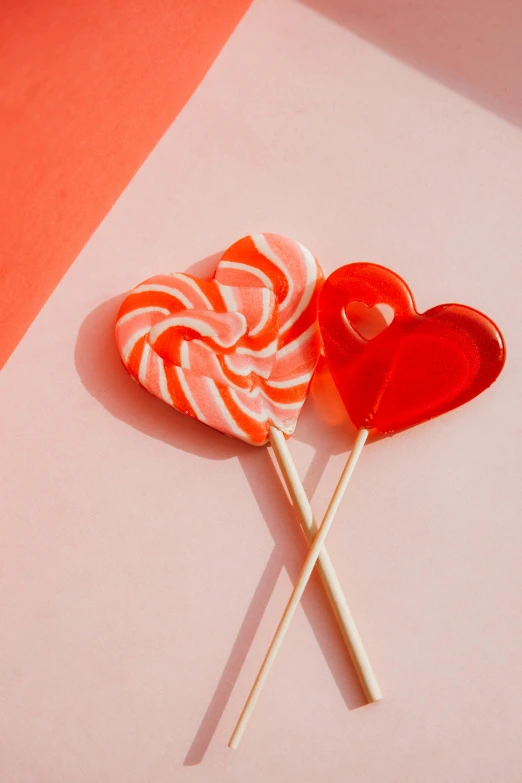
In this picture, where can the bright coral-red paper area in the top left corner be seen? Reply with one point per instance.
(86, 91)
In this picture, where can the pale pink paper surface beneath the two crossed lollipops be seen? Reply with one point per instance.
(146, 559)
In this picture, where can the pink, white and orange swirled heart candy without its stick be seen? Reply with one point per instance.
(236, 352)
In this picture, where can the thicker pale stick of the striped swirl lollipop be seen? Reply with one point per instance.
(327, 573)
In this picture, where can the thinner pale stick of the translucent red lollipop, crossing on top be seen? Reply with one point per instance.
(299, 589)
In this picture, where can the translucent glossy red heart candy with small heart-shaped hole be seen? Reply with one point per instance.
(418, 366)
